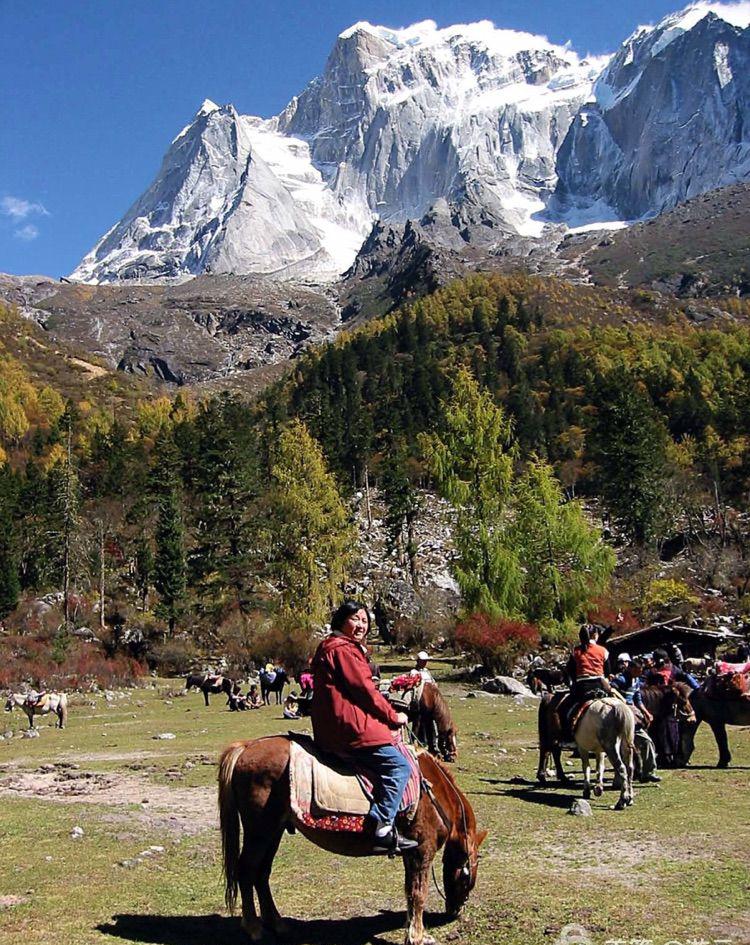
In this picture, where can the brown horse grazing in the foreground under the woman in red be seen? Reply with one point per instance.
(254, 792)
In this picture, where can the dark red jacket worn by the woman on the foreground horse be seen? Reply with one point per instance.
(347, 710)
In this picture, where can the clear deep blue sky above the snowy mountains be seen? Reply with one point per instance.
(94, 90)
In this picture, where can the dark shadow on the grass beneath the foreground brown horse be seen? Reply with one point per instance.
(219, 930)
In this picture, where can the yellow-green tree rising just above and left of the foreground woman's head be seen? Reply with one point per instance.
(310, 534)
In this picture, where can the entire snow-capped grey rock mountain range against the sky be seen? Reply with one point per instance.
(506, 129)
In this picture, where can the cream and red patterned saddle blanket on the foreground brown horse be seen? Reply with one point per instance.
(327, 793)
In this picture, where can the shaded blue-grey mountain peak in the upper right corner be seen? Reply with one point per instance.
(669, 120)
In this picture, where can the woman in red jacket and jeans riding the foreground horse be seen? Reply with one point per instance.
(351, 718)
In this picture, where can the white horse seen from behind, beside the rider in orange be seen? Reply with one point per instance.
(607, 728)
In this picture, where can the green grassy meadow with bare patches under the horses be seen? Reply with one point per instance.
(671, 868)
